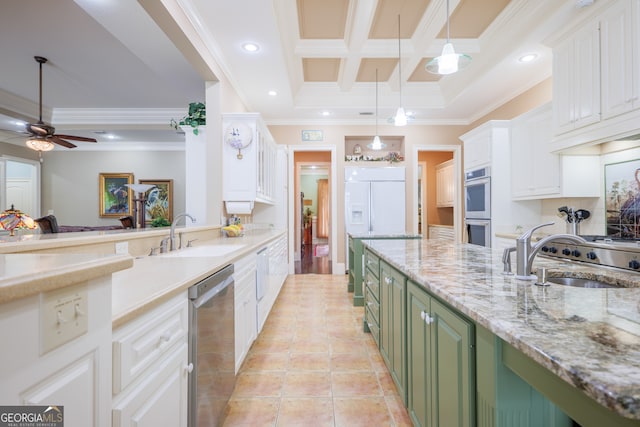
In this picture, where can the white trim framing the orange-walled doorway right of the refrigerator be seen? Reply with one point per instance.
(457, 173)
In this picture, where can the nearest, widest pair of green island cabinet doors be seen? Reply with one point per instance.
(441, 363)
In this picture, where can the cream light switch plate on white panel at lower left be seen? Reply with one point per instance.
(63, 316)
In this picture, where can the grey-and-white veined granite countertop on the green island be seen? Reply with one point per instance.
(588, 337)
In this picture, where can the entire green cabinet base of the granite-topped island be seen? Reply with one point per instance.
(452, 372)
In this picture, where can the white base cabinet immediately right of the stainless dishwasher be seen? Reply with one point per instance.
(244, 274)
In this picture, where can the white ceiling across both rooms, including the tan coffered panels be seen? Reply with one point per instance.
(112, 69)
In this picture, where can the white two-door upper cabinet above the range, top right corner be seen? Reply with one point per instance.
(596, 76)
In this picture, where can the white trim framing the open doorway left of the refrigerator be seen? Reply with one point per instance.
(336, 268)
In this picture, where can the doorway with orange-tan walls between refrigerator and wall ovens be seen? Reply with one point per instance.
(437, 217)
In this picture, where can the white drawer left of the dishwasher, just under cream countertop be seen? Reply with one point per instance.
(144, 340)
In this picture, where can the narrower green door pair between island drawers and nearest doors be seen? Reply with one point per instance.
(393, 325)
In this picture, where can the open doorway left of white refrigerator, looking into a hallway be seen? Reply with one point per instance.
(313, 209)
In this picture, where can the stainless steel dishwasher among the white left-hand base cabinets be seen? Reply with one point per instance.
(211, 348)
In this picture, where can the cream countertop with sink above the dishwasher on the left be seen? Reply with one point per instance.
(155, 279)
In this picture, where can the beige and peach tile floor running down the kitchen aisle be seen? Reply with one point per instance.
(312, 364)
